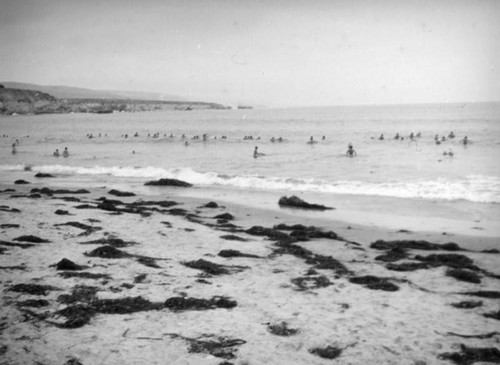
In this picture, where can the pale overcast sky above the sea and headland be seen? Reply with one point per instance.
(274, 53)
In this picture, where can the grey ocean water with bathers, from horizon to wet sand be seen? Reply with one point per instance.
(413, 175)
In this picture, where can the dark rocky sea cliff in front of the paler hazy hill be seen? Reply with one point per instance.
(20, 101)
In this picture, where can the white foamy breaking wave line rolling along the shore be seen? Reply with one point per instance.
(474, 188)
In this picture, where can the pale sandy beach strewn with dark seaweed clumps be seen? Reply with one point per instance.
(176, 281)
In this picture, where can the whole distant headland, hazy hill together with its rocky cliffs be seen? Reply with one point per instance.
(18, 98)
